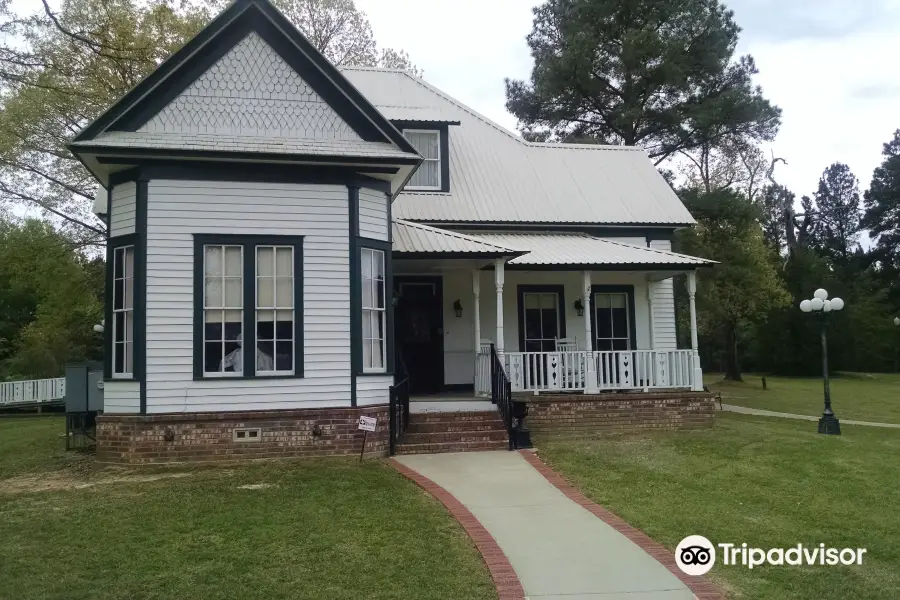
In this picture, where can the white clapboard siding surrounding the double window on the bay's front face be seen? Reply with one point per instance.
(178, 209)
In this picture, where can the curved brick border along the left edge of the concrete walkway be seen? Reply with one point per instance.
(505, 579)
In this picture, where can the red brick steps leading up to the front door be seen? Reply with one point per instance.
(430, 433)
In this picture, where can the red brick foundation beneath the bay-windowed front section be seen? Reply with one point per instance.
(208, 437)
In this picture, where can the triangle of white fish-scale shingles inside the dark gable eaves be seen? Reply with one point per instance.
(251, 90)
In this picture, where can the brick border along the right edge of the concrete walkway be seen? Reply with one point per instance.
(702, 588)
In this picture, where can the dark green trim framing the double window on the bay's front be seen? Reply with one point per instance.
(249, 243)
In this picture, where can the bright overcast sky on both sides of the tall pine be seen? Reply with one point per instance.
(831, 65)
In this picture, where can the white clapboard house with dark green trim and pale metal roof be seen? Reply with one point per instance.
(285, 237)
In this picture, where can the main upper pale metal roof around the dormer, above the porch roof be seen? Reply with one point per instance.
(497, 177)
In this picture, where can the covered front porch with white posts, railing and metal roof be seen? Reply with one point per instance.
(572, 314)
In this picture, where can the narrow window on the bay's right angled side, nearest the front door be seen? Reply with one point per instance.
(373, 310)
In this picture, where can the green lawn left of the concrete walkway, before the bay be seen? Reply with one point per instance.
(304, 529)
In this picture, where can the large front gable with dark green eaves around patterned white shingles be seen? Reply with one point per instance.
(238, 73)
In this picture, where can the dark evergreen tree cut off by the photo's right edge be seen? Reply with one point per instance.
(882, 211)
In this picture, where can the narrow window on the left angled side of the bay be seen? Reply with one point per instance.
(123, 312)
